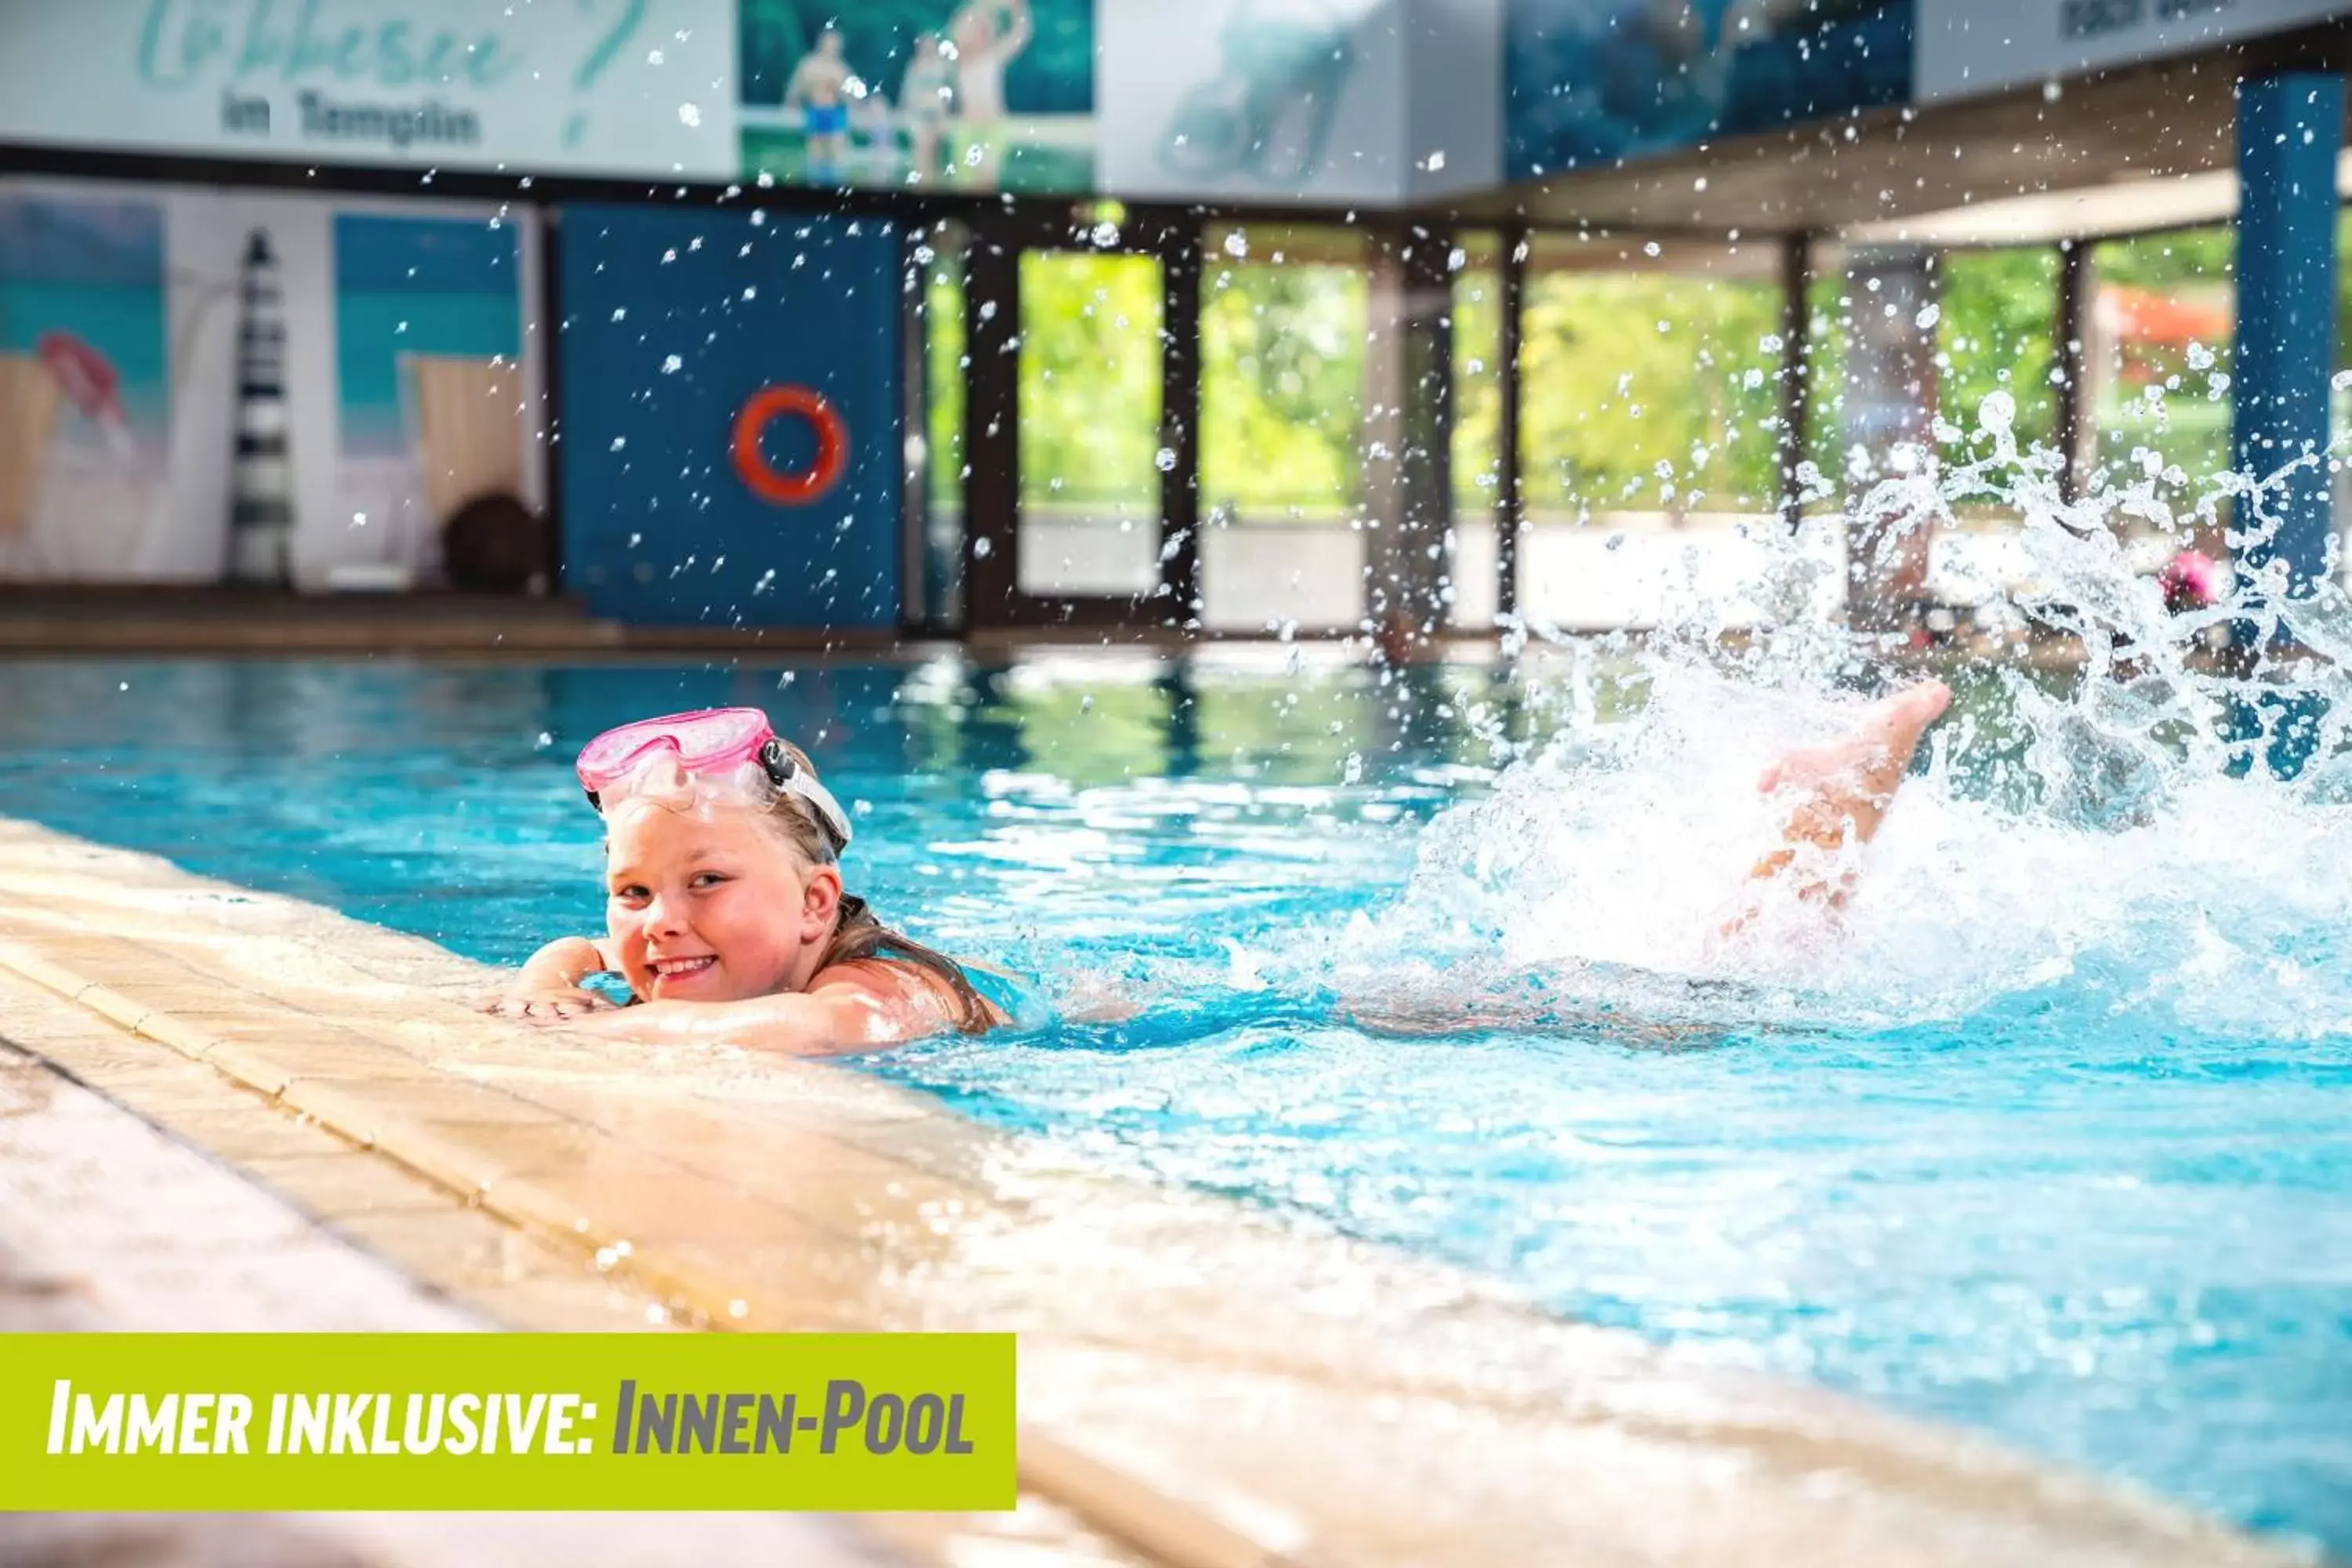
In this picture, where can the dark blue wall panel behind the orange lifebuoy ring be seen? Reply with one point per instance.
(671, 321)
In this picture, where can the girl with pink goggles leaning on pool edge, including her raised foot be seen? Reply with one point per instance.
(726, 909)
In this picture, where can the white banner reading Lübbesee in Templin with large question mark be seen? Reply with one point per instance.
(587, 86)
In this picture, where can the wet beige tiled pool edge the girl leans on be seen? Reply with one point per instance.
(1201, 1383)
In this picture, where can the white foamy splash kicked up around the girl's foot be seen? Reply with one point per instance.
(2080, 838)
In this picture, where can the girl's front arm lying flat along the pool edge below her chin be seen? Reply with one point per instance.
(848, 1010)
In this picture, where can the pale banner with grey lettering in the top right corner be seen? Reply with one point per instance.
(1989, 46)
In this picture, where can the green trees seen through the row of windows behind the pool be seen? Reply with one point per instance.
(1643, 389)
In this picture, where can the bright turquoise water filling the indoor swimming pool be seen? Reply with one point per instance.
(2054, 1144)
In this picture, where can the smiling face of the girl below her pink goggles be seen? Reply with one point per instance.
(709, 904)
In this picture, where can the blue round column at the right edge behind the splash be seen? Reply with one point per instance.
(2290, 130)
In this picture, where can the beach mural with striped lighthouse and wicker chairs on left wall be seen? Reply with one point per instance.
(255, 389)
